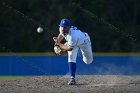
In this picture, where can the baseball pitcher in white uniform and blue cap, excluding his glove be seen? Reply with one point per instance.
(76, 40)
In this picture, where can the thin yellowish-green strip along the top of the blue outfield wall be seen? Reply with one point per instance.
(53, 54)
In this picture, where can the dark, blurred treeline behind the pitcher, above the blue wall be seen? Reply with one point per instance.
(114, 25)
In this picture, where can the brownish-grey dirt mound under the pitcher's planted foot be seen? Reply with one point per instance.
(85, 84)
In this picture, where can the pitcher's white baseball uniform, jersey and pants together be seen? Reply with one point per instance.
(77, 39)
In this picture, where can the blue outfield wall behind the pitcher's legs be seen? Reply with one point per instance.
(57, 65)
